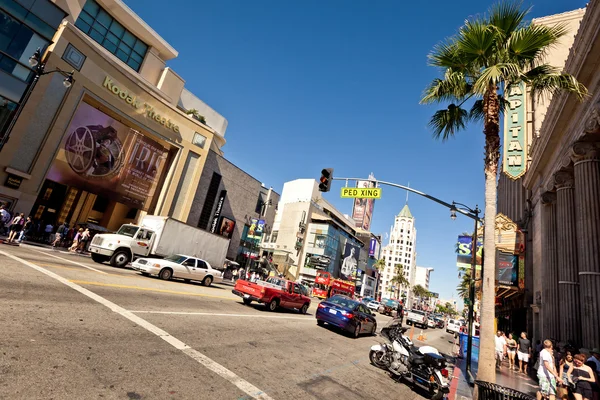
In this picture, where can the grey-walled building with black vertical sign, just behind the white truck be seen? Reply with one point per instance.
(230, 202)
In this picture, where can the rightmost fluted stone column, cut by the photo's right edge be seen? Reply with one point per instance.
(587, 198)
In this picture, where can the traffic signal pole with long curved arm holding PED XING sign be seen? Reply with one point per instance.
(462, 209)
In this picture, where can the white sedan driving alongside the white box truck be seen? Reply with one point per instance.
(179, 266)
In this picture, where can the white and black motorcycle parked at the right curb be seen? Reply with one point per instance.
(423, 366)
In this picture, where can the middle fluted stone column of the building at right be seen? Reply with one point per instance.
(568, 279)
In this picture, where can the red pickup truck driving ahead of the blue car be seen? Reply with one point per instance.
(274, 293)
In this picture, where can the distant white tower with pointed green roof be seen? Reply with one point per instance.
(400, 256)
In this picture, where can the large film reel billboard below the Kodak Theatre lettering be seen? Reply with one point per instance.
(103, 156)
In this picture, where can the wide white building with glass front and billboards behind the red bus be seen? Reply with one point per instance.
(310, 234)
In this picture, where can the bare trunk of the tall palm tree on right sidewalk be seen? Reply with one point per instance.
(487, 368)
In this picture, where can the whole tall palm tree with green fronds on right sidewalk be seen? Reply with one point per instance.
(490, 56)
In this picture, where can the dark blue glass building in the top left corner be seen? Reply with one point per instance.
(26, 26)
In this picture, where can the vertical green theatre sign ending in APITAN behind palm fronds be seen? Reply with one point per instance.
(515, 124)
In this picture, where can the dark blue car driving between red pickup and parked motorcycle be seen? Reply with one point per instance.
(348, 314)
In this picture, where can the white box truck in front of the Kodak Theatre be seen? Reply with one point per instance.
(158, 236)
